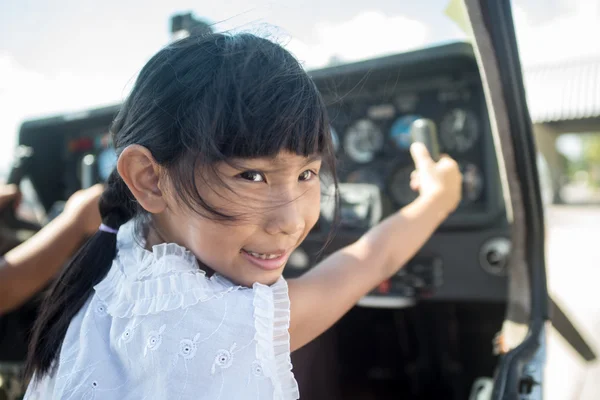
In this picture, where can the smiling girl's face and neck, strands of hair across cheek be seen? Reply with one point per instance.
(276, 201)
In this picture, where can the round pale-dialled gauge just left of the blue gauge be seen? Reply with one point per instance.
(363, 140)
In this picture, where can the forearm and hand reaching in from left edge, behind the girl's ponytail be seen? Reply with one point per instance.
(27, 268)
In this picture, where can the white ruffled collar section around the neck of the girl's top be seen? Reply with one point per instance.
(142, 282)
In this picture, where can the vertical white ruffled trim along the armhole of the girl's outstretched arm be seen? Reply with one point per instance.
(272, 322)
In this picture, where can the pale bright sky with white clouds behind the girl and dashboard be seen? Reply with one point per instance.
(69, 55)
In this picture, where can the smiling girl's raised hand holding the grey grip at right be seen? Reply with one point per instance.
(441, 179)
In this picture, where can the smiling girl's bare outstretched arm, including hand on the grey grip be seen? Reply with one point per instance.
(324, 294)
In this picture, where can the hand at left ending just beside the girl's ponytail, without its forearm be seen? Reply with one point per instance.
(83, 208)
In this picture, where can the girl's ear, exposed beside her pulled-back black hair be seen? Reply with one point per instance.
(141, 173)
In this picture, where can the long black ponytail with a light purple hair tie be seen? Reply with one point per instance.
(75, 284)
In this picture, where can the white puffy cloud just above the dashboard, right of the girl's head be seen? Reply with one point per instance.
(368, 34)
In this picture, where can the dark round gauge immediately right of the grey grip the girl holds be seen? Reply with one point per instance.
(459, 130)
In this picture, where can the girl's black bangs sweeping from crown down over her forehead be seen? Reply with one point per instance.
(258, 103)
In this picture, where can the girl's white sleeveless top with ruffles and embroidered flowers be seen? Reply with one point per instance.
(158, 328)
